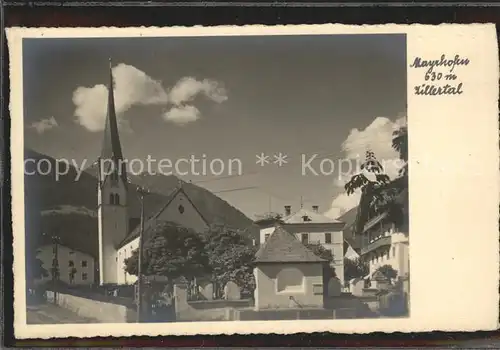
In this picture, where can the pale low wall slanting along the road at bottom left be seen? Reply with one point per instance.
(101, 311)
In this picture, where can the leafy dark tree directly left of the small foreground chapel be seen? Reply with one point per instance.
(230, 258)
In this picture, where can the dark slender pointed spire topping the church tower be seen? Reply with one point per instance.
(111, 148)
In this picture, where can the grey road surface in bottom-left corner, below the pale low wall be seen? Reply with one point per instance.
(52, 314)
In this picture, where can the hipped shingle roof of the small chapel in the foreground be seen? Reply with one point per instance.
(282, 246)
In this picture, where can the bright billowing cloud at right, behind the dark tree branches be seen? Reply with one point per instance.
(376, 137)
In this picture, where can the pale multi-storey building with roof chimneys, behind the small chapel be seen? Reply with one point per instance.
(311, 227)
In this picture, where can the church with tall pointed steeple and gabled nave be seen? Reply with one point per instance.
(118, 237)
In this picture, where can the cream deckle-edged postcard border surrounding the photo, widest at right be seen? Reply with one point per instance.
(454, 187)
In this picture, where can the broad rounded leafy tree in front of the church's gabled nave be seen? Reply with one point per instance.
(171, 251)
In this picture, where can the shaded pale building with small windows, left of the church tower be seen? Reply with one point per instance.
(75, 267)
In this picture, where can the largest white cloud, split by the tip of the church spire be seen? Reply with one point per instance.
(132, 87)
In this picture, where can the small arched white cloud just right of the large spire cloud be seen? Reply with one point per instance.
(188, 88)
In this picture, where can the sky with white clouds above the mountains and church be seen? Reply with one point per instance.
(226, 98)
